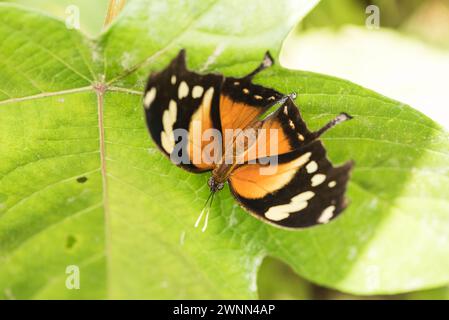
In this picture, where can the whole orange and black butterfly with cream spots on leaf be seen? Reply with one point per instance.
(275, 166)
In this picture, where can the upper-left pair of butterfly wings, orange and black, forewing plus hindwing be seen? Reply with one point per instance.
(181, 105)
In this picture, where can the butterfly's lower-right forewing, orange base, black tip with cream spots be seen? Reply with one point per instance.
(305, 191)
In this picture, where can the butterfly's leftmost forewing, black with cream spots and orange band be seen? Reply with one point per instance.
(180, 105)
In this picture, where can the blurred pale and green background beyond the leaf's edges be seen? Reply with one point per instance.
(413, 42)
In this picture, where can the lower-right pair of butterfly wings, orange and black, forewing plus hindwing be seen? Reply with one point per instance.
(298, 186)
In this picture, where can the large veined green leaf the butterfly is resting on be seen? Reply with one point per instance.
(129, 227)
